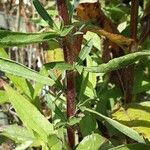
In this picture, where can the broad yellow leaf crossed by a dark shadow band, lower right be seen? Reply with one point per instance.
(136, 116)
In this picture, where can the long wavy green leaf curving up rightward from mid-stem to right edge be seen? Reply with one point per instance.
(117, 63)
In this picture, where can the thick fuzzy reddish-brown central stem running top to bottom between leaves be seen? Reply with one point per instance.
(70, 75)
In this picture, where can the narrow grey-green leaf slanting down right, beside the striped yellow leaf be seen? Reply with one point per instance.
(122, 128)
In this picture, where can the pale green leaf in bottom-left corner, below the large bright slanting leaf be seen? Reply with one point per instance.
(17, 133)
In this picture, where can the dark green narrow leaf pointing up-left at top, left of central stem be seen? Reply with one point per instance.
(43, 13)
